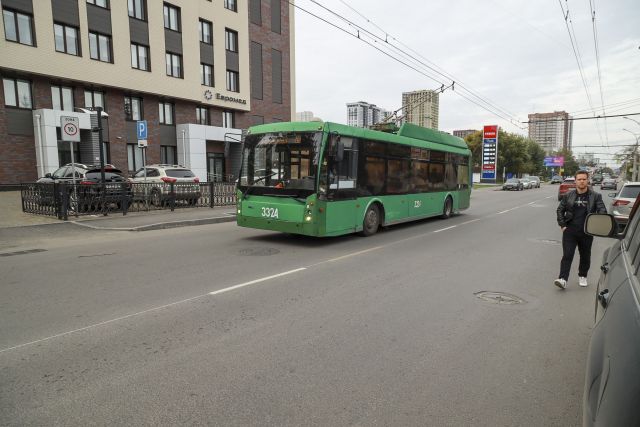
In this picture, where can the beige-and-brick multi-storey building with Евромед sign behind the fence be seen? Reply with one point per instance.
(197, 71)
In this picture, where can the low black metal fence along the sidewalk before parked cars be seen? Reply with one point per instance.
(66, 199)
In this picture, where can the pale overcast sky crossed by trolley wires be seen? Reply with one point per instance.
(515, 54)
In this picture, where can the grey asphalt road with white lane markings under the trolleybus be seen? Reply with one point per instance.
(219, 325)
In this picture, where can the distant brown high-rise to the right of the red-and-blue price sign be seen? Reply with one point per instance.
(553, 131)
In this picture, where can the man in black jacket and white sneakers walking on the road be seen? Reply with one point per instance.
(572, 212)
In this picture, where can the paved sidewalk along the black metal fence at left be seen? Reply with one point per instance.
(11, 216)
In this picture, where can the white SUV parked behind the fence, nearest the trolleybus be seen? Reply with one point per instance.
(159, 178)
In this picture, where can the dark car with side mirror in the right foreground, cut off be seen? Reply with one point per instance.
(612, 381)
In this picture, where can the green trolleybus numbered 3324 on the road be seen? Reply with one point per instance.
(328, 179)
